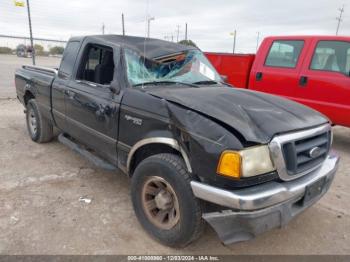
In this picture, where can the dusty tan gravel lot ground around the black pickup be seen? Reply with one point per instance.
(40, 211)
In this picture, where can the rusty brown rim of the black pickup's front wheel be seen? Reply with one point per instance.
(160, 203)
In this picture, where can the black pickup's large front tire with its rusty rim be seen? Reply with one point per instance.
(185, 224)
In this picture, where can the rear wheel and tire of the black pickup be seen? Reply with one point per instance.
(39, 128)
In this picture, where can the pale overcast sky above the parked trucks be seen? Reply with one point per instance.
(209, 21)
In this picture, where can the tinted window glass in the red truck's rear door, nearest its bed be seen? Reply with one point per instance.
(284, 53)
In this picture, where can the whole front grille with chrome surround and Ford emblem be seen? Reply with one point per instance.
(296, 154)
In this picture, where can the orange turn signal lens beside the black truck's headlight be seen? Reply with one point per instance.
(230, 164)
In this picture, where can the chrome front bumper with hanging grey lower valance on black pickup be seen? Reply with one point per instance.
(254, 210)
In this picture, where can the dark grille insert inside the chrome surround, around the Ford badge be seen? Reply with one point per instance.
(297, 154)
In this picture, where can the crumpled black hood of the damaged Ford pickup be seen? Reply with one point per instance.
(255, 115)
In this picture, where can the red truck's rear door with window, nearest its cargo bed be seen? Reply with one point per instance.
(277, 67)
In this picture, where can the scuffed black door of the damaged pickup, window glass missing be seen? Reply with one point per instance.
(92, 108)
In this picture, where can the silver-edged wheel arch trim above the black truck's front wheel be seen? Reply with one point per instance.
(167, 145)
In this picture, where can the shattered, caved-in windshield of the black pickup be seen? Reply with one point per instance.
(189, 67)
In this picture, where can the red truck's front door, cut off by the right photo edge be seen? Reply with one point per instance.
(325, 80)
